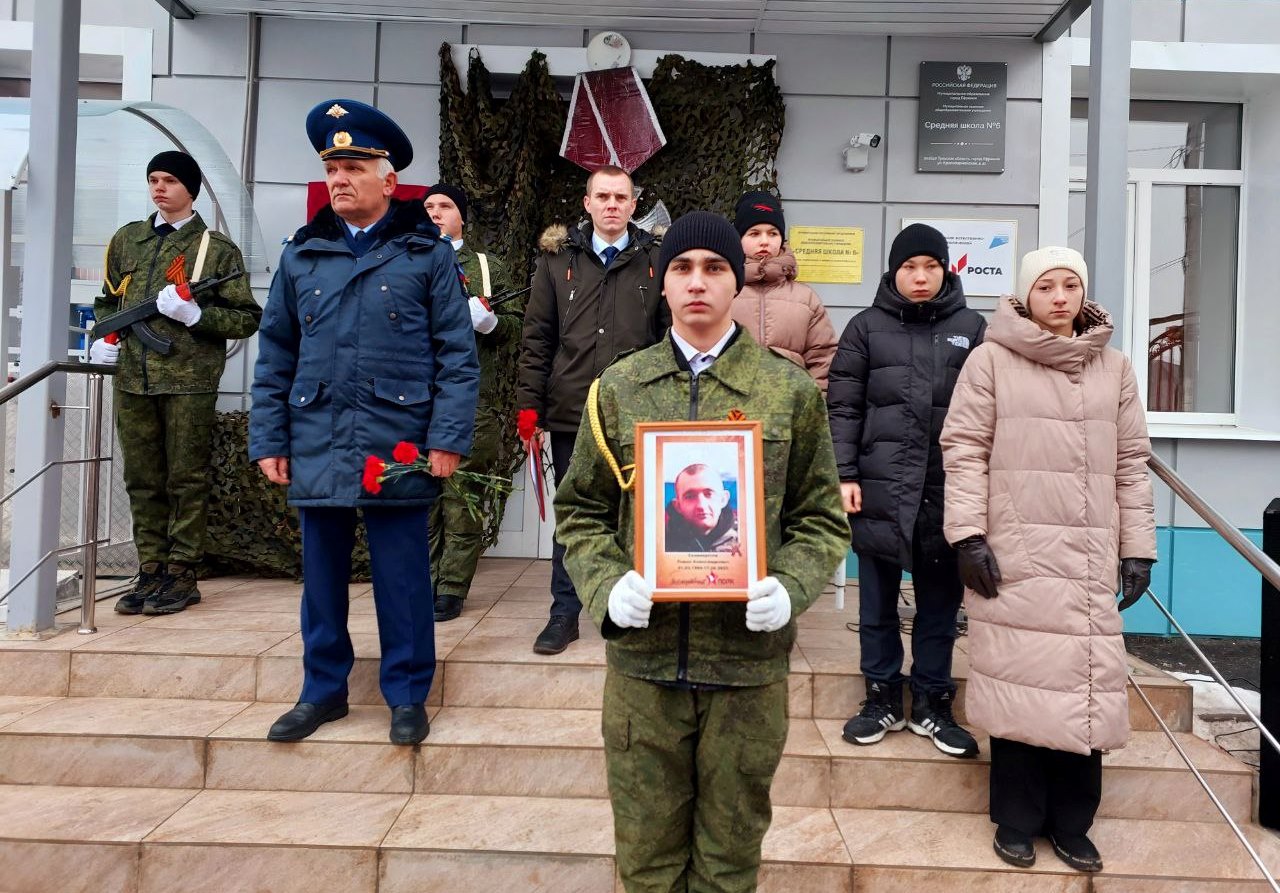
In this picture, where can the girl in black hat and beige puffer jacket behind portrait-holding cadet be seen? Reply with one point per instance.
(779, 312)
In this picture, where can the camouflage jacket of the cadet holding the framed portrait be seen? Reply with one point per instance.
(806, 532)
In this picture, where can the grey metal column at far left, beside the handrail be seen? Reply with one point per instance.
(47, 281)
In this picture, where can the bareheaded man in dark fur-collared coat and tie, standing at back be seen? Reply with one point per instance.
(595, 297)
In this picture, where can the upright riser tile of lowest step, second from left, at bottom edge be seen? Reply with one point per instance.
(221, 869)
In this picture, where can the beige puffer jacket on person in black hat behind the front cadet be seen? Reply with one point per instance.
(787, 315)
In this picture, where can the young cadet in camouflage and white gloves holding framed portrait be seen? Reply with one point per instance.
(696, 695)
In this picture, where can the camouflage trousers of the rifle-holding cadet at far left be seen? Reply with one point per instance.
(167, 443)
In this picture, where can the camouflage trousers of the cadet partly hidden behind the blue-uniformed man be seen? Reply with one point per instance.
(455, 535)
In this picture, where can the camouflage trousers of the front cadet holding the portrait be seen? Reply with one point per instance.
(689, 780)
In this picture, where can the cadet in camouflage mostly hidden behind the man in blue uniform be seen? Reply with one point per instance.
(458, 534)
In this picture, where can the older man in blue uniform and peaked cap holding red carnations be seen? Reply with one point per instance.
(365, 342)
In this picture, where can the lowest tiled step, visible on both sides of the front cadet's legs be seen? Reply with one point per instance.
(131, 841)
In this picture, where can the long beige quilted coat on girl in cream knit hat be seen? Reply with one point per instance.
(1046, 450)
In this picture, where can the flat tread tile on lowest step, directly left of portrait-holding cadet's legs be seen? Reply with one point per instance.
(505, 825)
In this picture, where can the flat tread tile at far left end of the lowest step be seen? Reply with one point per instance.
(85, 814)
